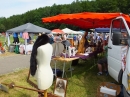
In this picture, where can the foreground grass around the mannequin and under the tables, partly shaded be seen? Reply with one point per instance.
(83, 83)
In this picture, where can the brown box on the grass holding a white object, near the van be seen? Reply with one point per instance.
(110, 86)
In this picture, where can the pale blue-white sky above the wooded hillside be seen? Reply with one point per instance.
(15, 7)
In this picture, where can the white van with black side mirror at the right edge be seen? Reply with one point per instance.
(119, 53)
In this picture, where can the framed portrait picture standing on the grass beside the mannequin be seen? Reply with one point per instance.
(60, 87)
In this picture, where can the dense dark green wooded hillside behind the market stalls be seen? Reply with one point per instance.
(35, 16)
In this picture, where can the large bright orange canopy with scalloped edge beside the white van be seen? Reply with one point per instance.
(86, 19)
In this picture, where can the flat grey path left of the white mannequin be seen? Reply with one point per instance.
(11, 63)
